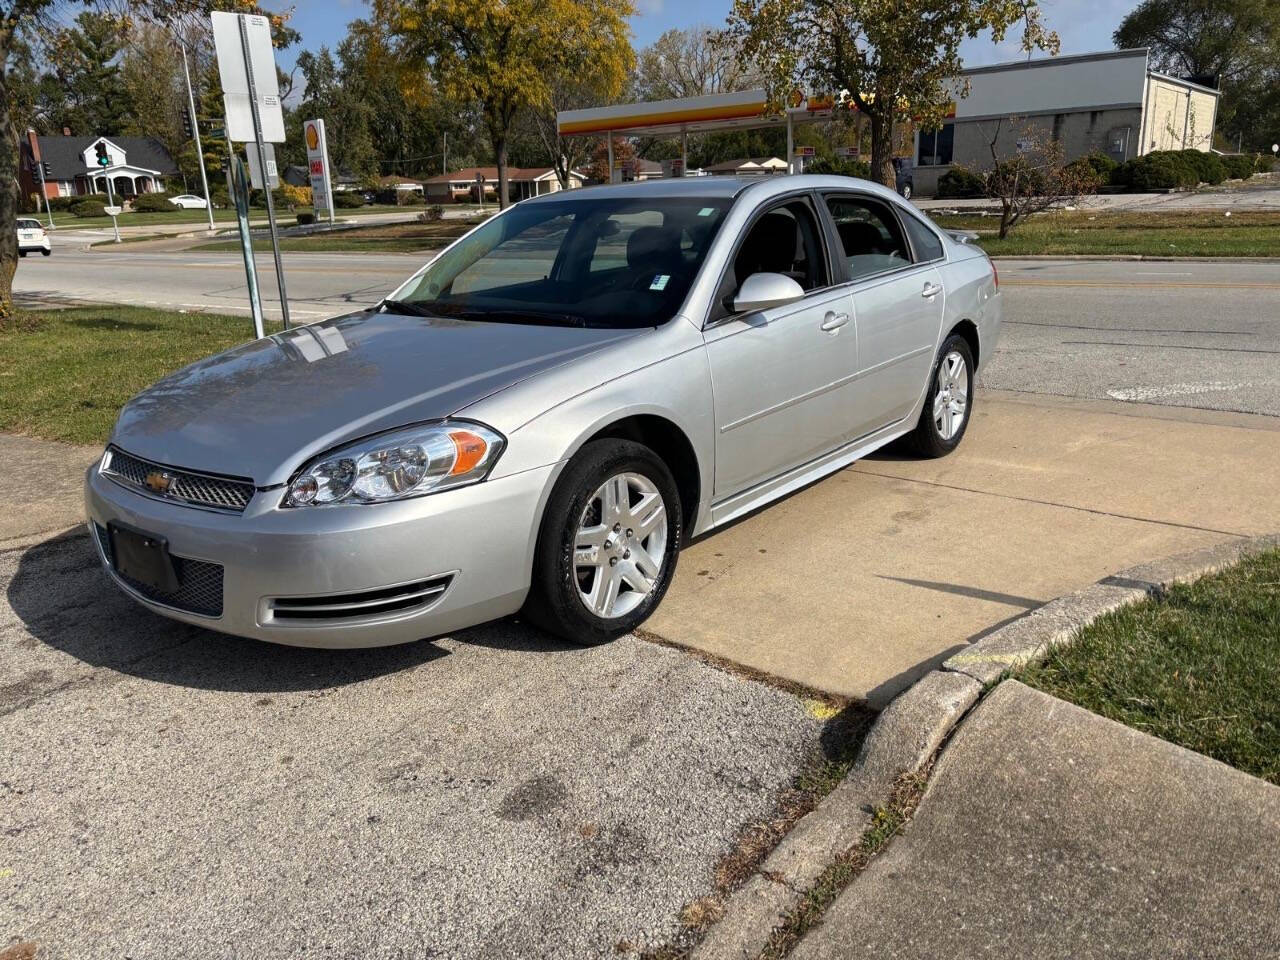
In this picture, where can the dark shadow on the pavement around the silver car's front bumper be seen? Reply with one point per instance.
(66, 601)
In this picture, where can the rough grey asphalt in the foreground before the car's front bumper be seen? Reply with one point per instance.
(172, 793)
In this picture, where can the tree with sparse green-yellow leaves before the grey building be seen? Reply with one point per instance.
(889, 58)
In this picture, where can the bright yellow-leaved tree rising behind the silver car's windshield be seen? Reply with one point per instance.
(505, 57)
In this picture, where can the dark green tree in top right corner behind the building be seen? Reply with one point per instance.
(1235, 42)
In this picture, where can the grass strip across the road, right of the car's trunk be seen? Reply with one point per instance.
(1188, 235)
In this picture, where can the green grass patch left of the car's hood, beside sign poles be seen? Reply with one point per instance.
(65, 374)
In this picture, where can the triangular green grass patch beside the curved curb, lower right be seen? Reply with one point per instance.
(1200, 669)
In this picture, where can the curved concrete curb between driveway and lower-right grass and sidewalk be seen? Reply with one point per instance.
(912, 729)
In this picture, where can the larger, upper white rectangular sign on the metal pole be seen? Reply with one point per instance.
(235, 79)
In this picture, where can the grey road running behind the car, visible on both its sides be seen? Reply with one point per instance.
(1195, 335)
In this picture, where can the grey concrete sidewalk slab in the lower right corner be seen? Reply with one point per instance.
(1052, 833)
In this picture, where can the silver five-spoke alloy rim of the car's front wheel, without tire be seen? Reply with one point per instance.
(621, 546)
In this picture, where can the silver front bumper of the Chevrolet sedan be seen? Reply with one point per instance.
(478, 540)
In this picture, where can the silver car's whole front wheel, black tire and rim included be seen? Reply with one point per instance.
(565, 582)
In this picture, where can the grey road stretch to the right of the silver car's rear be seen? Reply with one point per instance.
(1185, 335)
